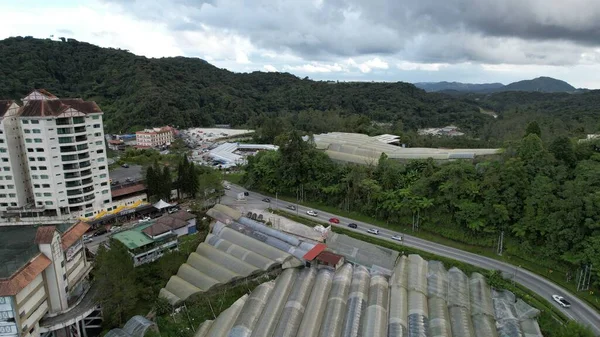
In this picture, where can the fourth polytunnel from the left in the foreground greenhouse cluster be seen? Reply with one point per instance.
(291, 316)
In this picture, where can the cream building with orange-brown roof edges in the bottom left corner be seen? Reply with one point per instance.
(44, 287)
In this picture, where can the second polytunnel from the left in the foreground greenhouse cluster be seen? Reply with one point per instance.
(246, 320)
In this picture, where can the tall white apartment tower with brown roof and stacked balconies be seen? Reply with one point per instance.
(53, 156)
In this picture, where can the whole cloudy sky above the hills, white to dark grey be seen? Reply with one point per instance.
(473, 41)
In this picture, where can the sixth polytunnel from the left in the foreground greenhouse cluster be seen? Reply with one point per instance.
(336, 304)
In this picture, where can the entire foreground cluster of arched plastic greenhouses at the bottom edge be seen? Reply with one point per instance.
(420, 299)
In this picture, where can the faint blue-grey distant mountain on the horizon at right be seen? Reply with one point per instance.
(540, 84)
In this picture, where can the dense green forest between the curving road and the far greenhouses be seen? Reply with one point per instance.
(543, 196)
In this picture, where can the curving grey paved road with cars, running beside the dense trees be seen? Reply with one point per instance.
(579, 311)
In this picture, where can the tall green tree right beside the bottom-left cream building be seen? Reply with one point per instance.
(114, 277)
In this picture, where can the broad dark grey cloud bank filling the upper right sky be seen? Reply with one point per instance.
(451, 31)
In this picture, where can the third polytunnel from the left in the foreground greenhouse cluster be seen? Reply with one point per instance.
(270, 316)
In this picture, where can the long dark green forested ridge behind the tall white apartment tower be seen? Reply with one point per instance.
(135, 91)
